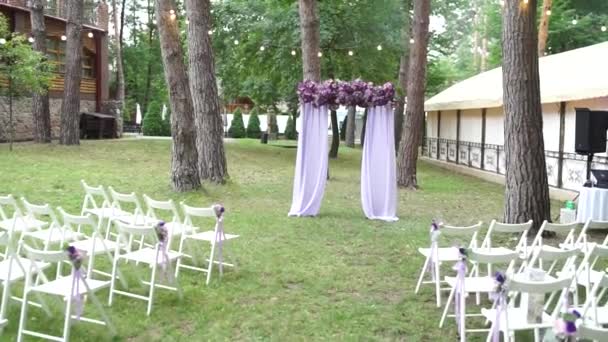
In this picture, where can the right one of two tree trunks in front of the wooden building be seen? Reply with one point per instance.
(70, 108)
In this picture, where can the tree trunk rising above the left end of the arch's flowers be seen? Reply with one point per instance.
(311, 40)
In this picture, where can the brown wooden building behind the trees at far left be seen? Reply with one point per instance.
(95, 74)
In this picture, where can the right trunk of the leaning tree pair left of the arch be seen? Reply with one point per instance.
(203, 86)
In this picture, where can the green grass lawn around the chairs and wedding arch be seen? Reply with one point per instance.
(335, 277)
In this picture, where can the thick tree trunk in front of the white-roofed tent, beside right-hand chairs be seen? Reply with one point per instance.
(527, 189)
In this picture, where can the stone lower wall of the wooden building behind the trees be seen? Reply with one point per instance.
(23, 118)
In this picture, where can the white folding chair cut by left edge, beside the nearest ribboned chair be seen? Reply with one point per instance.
(12, 269)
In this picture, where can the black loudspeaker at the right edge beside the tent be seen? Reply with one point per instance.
(591, 129)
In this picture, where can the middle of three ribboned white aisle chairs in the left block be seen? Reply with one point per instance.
(155, 258)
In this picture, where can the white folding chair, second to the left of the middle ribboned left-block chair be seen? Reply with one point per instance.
(55, 234)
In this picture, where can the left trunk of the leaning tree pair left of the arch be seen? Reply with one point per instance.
(184, 167)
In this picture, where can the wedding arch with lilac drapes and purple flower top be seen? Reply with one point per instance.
(378, 170)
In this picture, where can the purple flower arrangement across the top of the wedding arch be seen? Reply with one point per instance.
(356, 93)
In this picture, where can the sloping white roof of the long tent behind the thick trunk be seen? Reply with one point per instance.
(568, 76)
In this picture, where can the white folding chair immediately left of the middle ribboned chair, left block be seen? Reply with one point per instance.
(92, 242)
